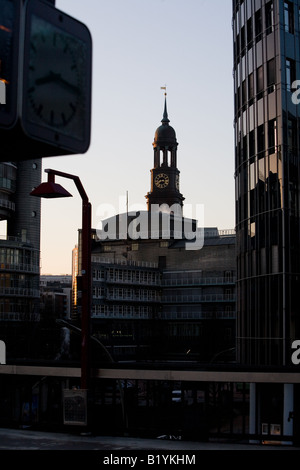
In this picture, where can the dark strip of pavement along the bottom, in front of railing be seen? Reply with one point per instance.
(27, 440)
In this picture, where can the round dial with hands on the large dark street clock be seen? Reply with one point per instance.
(54, 86)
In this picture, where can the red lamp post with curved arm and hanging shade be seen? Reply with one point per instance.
(50, 189)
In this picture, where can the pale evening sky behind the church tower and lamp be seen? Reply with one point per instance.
(138, 47)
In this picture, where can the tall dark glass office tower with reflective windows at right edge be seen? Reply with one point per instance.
(266, 121)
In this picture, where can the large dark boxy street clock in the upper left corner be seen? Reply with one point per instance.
(54, 94)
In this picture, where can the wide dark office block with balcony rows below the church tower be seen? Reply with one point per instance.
(162, 302)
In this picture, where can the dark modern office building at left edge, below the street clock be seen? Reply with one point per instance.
(19, 254)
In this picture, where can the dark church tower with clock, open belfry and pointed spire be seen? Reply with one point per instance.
(165, 174)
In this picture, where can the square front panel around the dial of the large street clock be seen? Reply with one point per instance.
(57, 80)
